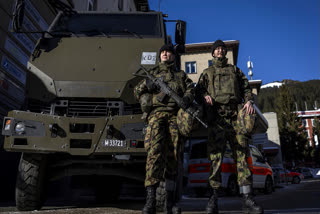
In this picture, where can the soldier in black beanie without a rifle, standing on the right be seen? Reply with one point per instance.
(225, 90)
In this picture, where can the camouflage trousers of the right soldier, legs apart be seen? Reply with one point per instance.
(223, 130)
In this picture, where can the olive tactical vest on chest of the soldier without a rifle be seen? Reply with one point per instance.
(223, 84)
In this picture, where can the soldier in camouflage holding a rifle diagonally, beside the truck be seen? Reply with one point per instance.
(162, 136)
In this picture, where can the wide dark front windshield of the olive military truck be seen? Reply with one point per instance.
(110, 25)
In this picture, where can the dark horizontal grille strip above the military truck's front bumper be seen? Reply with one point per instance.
(84, 108)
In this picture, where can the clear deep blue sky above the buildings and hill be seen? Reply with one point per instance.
(280, 36)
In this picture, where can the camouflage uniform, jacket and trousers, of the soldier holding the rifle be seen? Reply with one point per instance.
(162, 141)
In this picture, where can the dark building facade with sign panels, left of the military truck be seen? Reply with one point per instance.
(16, 48)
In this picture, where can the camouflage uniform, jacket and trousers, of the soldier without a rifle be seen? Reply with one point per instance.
(229, 88)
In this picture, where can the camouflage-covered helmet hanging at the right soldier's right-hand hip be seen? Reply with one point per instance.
(246, 122)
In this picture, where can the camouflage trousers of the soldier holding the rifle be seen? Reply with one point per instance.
(162, 146)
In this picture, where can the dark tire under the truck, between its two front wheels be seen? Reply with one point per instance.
(107, 189)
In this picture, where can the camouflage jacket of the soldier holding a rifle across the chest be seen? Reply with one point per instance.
(177, 80)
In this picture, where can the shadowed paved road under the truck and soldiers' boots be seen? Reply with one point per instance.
(299, 199)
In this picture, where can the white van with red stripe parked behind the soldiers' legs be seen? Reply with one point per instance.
(199, 168)
